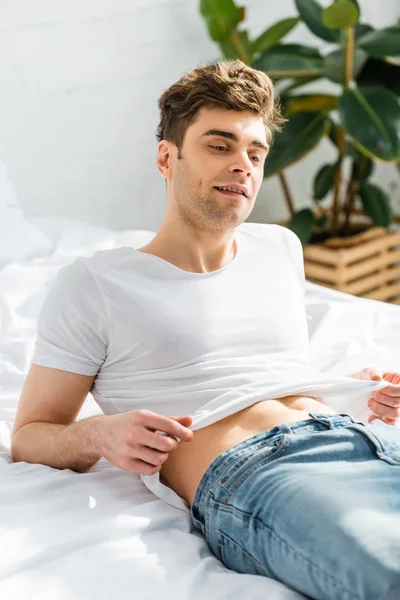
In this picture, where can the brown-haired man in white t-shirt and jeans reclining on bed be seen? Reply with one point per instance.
(207, 322)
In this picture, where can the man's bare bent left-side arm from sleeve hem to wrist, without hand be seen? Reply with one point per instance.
(44, 429)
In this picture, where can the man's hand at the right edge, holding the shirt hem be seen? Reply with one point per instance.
(385, 403)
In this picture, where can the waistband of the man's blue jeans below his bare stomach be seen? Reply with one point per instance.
(318, 421)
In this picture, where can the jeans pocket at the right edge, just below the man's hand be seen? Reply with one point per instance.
(384, 437)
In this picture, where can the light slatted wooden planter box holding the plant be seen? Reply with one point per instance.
(366, 264)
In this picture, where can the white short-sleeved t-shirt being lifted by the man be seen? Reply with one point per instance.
(160, 338)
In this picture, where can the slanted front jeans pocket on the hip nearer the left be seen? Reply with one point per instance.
(251, 459)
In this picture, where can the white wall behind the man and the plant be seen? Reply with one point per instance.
(79, 86)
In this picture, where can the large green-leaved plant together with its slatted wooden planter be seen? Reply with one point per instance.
(346, 233)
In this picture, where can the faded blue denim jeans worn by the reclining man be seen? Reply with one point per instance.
(314, 504)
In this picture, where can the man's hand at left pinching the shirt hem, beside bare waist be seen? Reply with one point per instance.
(140, 440)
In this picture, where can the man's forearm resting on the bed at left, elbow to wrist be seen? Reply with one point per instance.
(75, 446)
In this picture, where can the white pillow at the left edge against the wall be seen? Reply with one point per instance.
(19, 239)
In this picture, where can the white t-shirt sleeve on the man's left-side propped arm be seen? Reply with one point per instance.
(72, 326)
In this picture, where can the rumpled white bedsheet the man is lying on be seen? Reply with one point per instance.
(103, 534)
